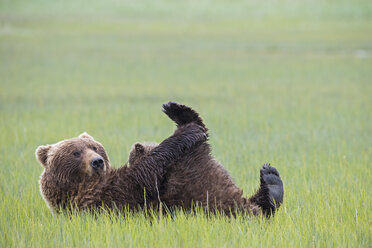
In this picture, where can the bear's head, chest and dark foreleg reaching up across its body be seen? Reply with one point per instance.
(77, 172)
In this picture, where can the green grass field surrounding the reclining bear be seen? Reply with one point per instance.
(286, 82)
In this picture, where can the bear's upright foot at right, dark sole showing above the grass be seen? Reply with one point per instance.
(270, 195)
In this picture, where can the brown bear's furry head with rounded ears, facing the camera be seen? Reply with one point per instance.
(69, 165)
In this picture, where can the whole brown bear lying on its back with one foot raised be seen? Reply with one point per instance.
(178, 172)
